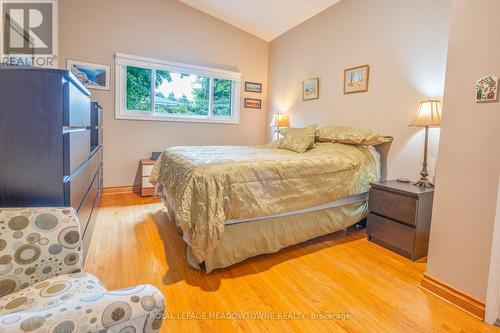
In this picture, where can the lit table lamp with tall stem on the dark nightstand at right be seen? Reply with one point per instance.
(428, 115)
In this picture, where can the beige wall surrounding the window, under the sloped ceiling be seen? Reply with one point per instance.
(93, 30)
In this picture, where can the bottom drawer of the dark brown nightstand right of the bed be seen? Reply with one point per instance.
(396, 236)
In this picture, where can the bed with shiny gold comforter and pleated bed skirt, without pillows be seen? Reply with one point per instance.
(235, 202)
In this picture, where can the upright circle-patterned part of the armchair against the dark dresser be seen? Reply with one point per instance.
(37, 244)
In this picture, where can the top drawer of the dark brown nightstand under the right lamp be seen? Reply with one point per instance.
(398, 207)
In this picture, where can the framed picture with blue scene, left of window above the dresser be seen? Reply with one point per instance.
(93, 76)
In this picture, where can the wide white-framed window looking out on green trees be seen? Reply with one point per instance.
(151, 89)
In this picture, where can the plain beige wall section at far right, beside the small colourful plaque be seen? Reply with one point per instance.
(469, 159)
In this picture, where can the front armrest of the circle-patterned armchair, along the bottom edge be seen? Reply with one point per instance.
(137, 309)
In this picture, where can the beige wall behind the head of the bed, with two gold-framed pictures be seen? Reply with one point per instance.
(405, 44)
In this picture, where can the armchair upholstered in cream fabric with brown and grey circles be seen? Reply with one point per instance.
(43, 290)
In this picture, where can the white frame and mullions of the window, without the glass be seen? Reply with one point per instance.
(121, 112)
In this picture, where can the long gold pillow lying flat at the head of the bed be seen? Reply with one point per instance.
(350, 135)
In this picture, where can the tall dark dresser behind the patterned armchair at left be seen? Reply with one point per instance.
(50, 143)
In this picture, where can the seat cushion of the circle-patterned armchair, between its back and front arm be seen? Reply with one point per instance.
(51, 293)
